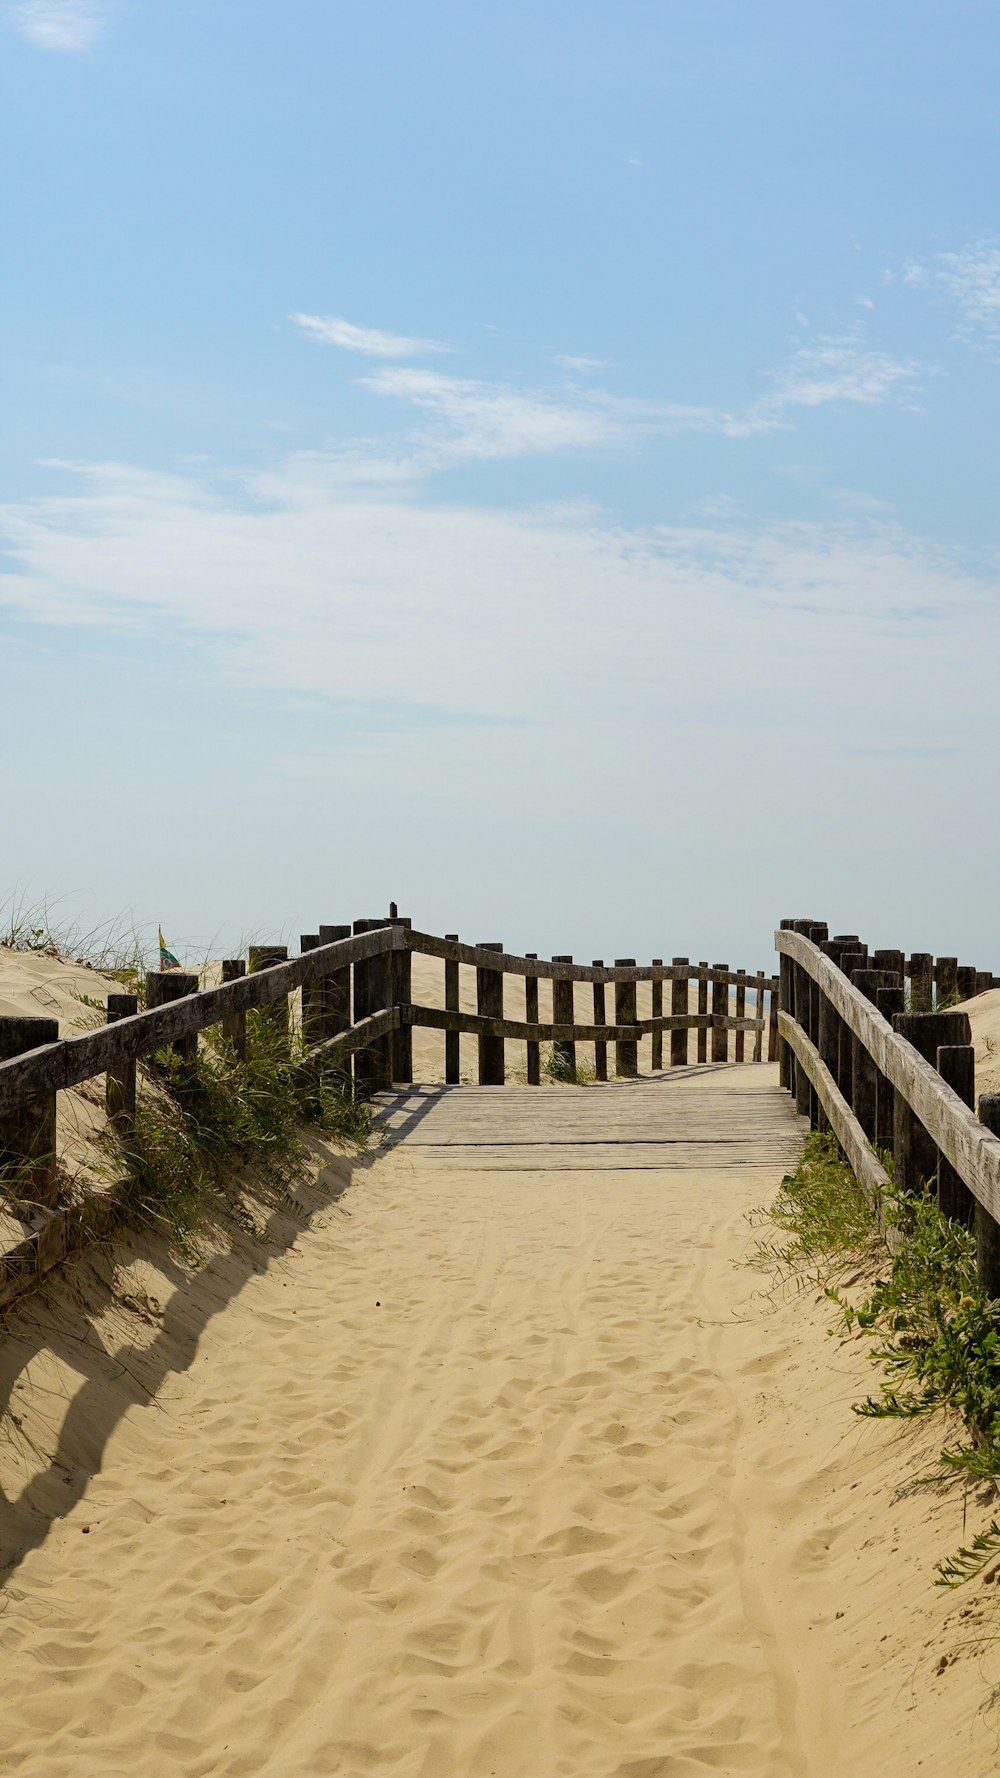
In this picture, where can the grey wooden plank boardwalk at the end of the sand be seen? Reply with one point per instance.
(681, 1121)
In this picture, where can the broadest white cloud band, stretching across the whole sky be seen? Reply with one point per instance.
(286, 584)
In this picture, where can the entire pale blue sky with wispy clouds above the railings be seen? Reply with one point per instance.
(535, 461)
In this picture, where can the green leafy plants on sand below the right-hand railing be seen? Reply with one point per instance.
(935, 1334)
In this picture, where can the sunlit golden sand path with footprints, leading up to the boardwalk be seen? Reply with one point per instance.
(488, 1478)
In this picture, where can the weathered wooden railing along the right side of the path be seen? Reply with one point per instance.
(892, 1073)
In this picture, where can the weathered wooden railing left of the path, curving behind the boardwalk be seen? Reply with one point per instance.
(357, 1011)
